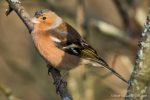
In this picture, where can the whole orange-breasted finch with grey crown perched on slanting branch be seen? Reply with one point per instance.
(61, 46)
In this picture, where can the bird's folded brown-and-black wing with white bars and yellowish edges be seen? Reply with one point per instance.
(72, 43)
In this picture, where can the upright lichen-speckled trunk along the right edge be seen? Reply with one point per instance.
(140, 78)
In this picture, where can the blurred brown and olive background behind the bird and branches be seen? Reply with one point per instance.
(112, 27)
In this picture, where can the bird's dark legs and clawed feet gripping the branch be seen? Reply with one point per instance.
(58, 81)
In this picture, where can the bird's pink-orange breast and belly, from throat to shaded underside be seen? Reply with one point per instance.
(53, 55)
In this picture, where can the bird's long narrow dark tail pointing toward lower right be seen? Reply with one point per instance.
(105, 65)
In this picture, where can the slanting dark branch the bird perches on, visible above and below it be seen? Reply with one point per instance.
(24, 16)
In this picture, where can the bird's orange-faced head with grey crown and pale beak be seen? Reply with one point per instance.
(46, 19)
